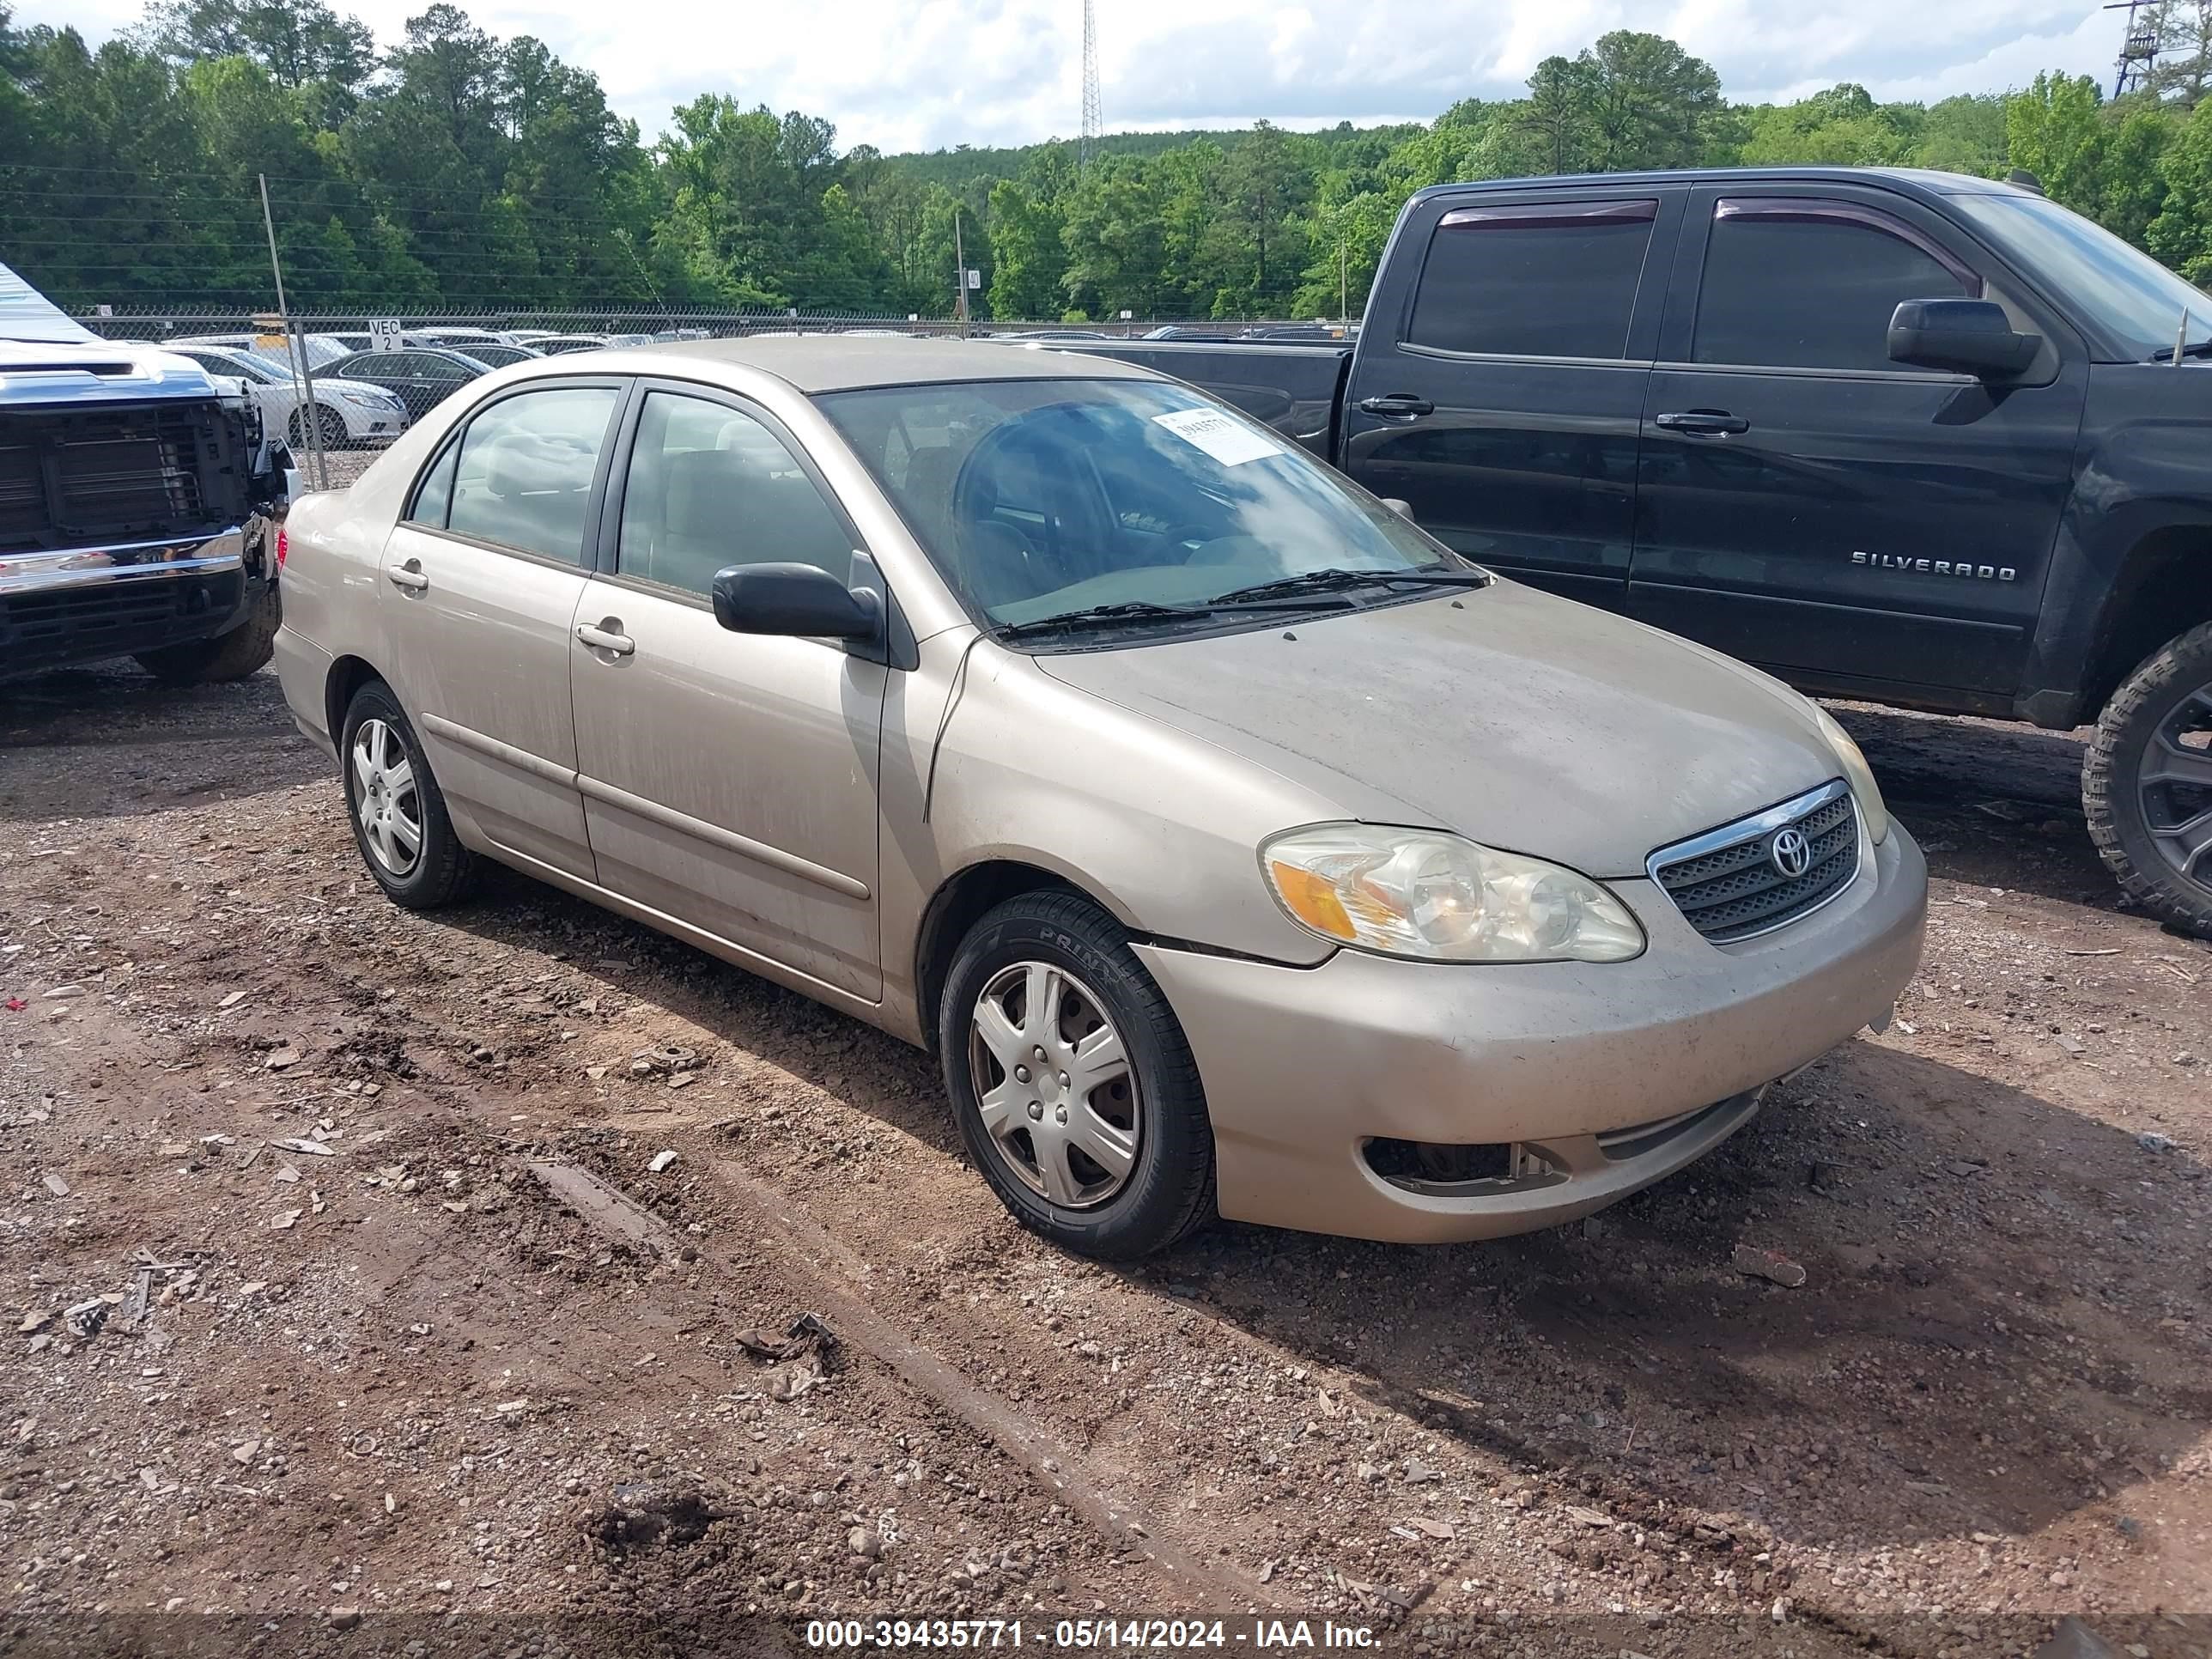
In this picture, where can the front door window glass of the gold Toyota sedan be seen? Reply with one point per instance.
(711, 488)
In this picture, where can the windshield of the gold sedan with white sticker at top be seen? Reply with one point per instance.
(1039, 499)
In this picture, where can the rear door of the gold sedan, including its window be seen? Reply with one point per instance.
(481, 583)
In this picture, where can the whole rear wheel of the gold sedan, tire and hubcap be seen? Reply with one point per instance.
(397, 808)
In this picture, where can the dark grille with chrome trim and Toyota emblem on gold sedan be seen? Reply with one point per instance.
(1733, 884)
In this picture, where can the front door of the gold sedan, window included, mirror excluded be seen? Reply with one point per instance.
(729, 780)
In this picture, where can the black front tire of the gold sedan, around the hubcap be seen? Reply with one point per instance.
(1171, 1189)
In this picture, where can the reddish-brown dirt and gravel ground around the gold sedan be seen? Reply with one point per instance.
(474, 1364)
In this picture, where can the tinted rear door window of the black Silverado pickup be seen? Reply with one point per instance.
(1534, 280)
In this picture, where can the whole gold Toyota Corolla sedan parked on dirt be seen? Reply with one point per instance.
(1238, 848)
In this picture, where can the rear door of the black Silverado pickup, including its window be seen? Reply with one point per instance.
(1499, 386)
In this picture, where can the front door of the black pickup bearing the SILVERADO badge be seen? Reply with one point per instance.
(1813, 508)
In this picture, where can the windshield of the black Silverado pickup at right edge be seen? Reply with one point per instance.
(2120, 289)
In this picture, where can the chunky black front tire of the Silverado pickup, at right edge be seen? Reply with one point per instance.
(2114, 797)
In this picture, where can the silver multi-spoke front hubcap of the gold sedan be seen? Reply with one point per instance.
(1052, 1076)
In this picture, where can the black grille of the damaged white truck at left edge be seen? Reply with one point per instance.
(85, 477)
